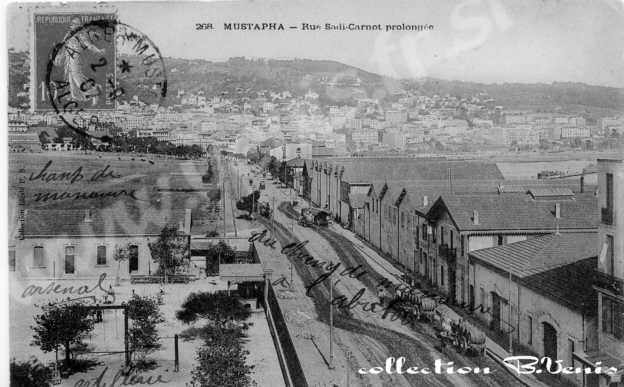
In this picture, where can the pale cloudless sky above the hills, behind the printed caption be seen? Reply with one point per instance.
(489, 41)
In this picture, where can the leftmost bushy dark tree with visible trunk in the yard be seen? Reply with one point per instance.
(62, 325)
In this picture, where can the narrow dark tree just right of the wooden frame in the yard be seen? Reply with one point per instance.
(144, 314)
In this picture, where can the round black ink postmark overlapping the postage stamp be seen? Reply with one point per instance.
(97, 67)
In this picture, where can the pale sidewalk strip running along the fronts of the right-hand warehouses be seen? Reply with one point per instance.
(388, 270)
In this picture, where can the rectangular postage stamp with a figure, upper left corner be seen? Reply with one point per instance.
(75, 54)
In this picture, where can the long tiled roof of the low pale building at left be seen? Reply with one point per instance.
(103, 222)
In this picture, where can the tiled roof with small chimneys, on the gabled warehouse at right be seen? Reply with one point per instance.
(515, 211)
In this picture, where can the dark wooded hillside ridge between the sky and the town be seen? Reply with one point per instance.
(337, 83)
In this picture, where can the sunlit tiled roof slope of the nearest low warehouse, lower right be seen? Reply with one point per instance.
(540, 254)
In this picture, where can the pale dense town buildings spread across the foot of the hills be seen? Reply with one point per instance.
(409, 123)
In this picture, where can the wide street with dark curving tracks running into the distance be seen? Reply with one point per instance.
(367, 338)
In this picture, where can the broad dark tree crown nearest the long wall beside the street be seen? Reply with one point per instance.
(216, 307)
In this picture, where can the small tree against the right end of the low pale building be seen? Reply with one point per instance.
(170, 251)
